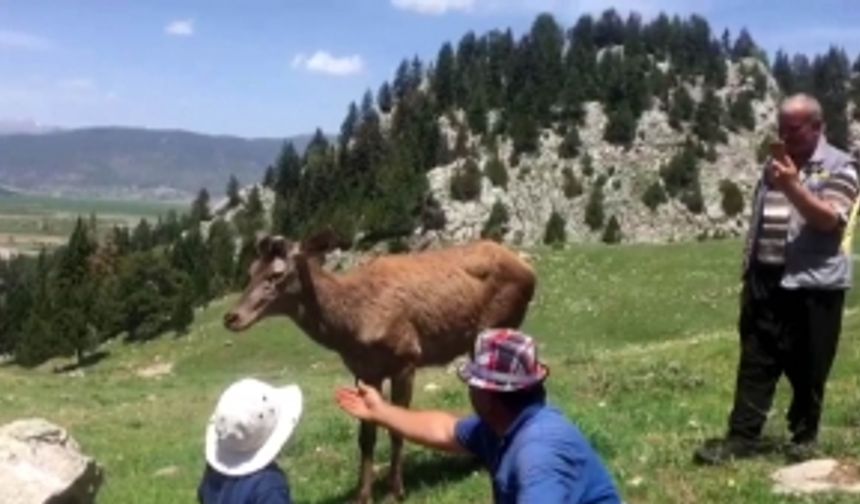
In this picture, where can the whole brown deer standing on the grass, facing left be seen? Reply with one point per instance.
(388, 316)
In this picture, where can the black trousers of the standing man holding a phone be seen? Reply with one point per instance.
(791, 331)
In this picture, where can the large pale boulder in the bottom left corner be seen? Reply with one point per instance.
(40, 463)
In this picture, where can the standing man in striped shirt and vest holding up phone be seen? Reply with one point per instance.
(797, 267)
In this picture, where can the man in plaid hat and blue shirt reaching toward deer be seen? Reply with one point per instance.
(533, 453)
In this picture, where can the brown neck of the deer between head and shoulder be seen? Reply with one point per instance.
(326, 310)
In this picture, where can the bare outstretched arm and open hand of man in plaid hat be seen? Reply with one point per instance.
(433, 429)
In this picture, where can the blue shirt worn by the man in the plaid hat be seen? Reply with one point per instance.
(542, 459)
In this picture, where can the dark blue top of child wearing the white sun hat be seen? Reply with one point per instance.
(266, 486)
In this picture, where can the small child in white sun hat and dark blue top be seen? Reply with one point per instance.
(251, 423)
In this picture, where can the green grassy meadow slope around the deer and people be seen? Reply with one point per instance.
(642, 348)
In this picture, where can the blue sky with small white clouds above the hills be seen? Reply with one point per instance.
(282, 67)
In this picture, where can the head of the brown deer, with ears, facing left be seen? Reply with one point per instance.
(274, 277)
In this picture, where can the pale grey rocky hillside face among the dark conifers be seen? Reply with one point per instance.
(535, 187)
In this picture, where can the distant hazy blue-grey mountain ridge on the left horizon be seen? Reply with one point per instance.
(113, 160)
